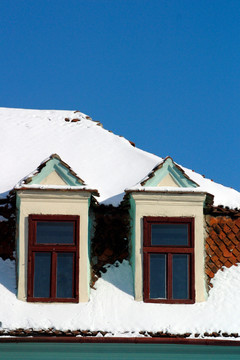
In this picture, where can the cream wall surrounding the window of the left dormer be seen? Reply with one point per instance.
(53, 203)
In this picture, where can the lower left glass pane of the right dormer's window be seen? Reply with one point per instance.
(157, 276)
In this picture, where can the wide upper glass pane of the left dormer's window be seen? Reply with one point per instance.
(54, 232)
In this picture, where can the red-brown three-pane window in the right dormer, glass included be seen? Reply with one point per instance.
(168, 248)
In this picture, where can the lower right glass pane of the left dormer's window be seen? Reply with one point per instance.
(65, 275)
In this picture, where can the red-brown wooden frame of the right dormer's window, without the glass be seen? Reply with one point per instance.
(148, 249)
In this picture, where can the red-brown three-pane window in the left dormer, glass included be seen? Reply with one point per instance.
(53, 255)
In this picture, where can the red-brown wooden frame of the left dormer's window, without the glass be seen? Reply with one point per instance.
(33, 248)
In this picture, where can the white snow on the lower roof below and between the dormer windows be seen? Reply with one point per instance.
(112, 307)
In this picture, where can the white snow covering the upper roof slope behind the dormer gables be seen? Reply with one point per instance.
(105, 161)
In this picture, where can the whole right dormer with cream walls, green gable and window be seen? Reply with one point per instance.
(166, 210)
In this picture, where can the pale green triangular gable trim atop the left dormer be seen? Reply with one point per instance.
(55, 165)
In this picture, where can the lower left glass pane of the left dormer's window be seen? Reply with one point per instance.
(42, 275)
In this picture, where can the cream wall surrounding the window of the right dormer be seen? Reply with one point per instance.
(170, 205)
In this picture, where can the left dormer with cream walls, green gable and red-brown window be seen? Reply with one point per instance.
(53, 234)
